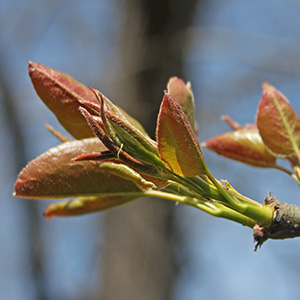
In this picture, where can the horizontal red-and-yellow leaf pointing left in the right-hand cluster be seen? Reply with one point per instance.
(244, 145)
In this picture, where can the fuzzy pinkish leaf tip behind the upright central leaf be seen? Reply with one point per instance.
(183, 94)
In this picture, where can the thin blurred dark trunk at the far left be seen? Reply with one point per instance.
(31, 229)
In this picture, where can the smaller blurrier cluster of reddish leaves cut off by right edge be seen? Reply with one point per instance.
(276, 135)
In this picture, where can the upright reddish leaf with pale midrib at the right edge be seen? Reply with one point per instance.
(278, 123)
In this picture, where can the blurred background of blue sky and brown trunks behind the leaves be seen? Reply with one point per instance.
(149, 249)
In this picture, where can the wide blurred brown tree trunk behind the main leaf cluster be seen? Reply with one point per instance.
(139, 260)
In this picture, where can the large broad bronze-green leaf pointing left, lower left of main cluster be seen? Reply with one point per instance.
(55, 175)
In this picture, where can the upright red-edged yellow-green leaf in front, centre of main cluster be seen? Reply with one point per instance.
(178, 146)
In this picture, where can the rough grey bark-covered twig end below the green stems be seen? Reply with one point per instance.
(286, 222)
